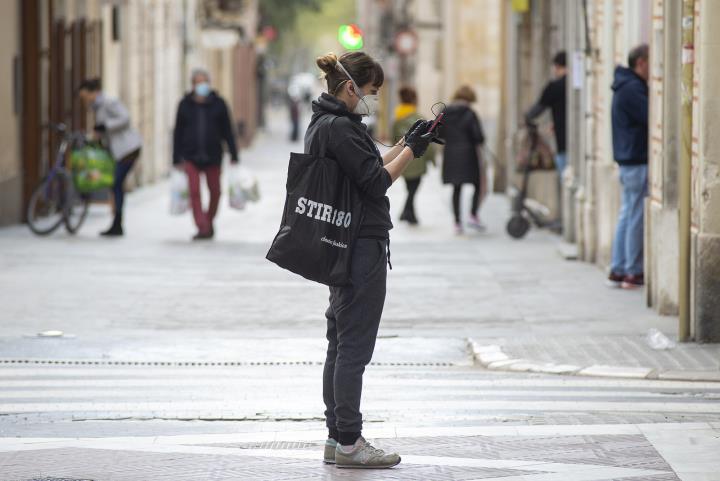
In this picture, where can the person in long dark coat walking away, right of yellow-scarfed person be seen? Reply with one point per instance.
(462, 161)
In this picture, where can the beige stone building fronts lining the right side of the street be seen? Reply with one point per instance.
(682, 258)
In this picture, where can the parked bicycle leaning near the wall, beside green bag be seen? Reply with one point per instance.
(56, 200)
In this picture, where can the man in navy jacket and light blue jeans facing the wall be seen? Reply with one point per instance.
(630, 149)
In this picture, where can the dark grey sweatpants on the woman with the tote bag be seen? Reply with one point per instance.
(353, 319)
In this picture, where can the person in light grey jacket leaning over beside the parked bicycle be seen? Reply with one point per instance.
(112, 126)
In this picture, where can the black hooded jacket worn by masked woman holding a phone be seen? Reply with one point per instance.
(349, 143)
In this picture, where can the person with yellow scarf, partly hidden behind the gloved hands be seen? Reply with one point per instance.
(405, 116)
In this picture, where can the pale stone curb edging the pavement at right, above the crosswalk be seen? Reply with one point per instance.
(494, 358)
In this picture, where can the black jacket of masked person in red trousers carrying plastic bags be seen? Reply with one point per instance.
(209, 120)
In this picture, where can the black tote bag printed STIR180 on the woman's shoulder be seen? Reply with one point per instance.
(320, 222)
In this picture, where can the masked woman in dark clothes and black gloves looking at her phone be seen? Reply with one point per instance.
(353, 317)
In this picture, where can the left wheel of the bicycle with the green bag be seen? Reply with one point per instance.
(46, 208)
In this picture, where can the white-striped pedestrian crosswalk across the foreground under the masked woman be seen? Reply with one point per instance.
(449, 421)
